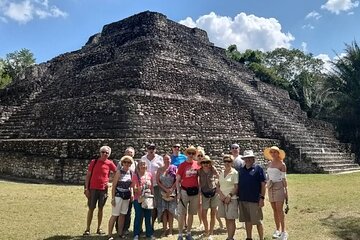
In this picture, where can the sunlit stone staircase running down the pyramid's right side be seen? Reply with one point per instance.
(312, 146)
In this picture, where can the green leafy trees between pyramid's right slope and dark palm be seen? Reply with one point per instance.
(291, 69)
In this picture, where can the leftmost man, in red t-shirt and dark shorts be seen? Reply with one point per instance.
(96, 181)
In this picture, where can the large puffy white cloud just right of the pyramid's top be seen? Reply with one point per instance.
(246, 31)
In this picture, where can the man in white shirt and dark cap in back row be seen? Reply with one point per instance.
(153, 163)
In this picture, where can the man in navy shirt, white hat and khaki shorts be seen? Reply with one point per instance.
(251, 194)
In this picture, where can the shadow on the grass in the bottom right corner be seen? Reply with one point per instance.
(347, 228)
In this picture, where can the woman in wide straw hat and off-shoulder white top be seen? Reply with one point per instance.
(277, 188)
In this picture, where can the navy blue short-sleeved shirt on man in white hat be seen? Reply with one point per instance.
(250, 183)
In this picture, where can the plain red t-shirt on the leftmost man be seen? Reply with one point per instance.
(100, 173)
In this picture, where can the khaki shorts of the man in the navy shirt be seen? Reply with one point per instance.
(250, 212)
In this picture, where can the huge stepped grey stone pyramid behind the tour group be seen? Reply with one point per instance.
(149, 79)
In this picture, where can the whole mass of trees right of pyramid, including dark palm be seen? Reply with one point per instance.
(333, 96)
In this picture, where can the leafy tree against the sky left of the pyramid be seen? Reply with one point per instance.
(17, 62)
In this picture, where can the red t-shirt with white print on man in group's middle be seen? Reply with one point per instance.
(188, 173)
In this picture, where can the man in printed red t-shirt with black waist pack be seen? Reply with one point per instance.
(188, 191)
